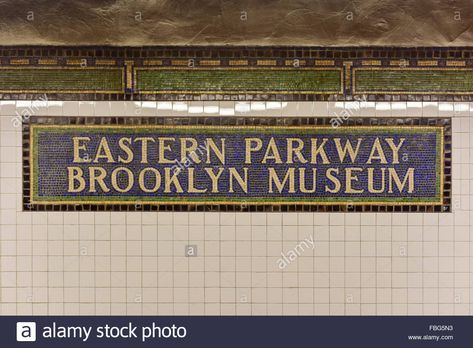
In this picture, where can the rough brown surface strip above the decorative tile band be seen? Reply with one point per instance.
(262, 22)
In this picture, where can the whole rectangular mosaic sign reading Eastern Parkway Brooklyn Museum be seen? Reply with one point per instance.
(311, 163)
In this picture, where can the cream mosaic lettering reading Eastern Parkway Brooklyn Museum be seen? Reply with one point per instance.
(179, 165)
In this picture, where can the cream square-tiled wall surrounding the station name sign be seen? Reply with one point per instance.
(135, 263)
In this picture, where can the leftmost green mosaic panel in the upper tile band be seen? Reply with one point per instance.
(61, 80)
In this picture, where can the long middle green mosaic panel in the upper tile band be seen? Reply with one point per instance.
(239, 80)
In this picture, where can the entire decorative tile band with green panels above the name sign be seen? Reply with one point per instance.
(237, 73)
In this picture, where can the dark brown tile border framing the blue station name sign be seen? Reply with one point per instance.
(216, 121)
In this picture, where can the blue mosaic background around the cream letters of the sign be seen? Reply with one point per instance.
(56, 154)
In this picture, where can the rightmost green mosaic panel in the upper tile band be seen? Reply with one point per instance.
(420, 80)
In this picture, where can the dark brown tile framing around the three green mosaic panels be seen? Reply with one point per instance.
(347, 59)
